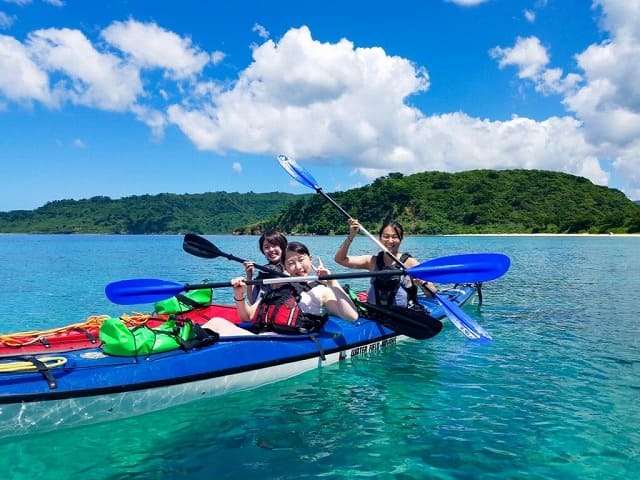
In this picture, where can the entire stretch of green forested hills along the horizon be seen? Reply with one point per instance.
(428, 203)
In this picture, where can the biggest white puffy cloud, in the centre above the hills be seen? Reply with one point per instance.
(320, 101)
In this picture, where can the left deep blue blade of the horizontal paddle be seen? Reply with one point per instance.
(141, 290)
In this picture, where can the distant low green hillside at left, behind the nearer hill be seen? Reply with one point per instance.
(218, 212)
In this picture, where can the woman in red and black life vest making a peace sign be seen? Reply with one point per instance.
(294, 307)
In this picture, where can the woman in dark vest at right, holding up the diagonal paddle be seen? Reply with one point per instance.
(398, 290)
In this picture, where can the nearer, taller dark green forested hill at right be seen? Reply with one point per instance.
(478, 201)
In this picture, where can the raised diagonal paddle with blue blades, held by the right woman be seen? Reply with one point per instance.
(467, 325)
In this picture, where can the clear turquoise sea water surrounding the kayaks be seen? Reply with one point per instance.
(556, 395)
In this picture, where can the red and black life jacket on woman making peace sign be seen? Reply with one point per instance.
(279, 311)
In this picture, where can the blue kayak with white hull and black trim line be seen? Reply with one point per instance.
(83, 386)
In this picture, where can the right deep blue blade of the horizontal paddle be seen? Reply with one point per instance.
(464, 268)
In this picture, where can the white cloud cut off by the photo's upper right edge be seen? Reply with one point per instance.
(603, 94)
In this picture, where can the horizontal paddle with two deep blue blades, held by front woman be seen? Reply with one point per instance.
(471, 267)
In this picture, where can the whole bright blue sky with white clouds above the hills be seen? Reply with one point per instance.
(123, 98)
